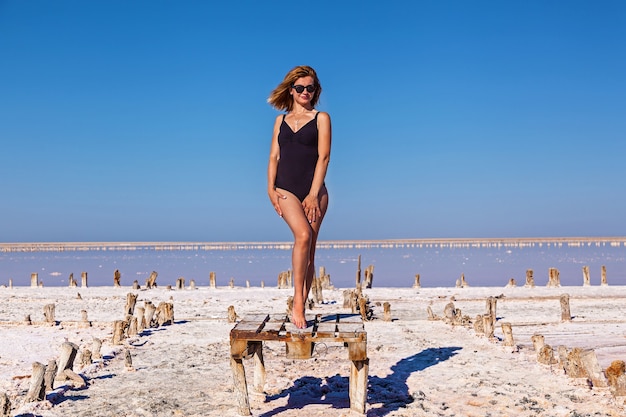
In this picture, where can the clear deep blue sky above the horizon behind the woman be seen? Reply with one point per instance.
(148, 121)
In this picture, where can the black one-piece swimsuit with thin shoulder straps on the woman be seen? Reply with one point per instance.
(298, 158)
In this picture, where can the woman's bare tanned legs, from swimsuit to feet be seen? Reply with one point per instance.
(302, 258)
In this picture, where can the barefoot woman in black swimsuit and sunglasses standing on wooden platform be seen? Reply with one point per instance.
(299, 158)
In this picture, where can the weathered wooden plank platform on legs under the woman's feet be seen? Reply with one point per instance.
(247, 337)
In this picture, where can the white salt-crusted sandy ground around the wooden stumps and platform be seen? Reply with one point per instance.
(418, 367)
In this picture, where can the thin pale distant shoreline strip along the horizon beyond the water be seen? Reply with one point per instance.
(615, 241)
